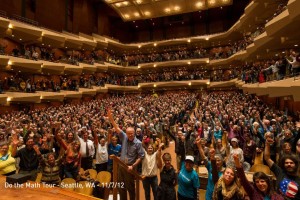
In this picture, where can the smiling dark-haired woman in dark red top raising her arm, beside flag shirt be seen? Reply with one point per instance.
(262, 185)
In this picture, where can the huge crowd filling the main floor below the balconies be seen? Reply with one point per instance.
(224, 131)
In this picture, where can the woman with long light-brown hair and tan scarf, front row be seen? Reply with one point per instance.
(228, 186)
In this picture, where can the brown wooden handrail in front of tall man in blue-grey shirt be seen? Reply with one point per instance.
(117, 162)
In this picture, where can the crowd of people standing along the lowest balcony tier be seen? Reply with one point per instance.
(284, 65)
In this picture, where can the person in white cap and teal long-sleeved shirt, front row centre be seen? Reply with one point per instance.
(188, 180)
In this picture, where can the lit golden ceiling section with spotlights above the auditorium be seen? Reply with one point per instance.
(131, 10)
